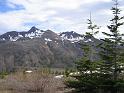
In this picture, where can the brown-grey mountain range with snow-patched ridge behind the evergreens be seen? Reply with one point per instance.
(37, 48)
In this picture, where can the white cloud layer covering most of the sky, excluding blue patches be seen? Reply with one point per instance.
(48, 12)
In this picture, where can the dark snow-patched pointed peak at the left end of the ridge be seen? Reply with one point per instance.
(14, 35)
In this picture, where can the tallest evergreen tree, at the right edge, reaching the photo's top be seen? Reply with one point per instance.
(112, 52)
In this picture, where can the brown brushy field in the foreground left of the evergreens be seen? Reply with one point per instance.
(41, 81)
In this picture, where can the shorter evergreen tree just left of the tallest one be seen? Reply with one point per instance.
(85, 80)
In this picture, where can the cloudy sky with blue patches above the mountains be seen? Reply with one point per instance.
(55, 15)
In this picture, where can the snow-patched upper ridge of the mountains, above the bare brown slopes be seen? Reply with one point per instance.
(37, 33)
